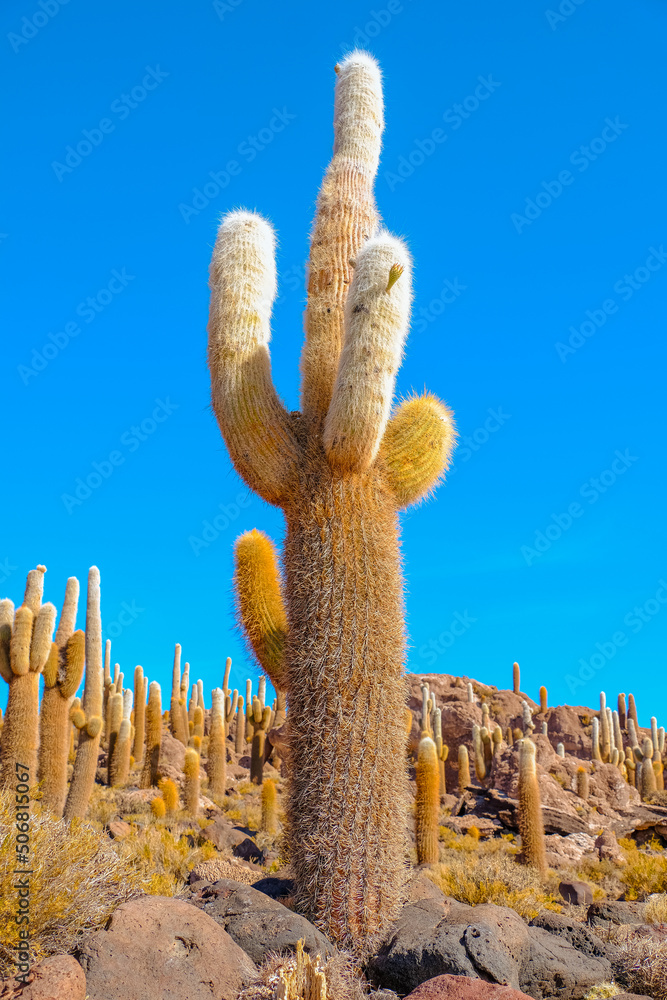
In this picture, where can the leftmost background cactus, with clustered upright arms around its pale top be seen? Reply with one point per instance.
(25, 644)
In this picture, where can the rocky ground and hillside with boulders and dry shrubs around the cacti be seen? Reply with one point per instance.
(479, 924)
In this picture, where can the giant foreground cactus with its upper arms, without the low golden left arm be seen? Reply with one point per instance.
(341, 470)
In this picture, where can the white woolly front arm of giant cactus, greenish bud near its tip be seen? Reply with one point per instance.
(377, 314)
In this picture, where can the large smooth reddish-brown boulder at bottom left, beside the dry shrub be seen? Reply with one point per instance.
(156, 947)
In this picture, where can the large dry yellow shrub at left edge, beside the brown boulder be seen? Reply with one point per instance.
(78, 878)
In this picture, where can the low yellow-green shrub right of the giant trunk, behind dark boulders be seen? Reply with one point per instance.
(497, 878)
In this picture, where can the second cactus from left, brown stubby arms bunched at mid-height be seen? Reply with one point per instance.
(62, 675)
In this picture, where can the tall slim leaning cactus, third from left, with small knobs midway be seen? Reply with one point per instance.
(88, 719)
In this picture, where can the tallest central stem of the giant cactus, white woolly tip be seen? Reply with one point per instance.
(345, 218)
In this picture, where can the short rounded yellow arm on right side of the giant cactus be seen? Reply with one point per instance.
(417, 447)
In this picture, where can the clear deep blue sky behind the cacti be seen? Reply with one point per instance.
(524, 160)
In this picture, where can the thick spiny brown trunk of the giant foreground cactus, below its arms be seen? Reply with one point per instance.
(347, 778)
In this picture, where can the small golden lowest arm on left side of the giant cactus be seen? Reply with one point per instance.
(259, 601)
